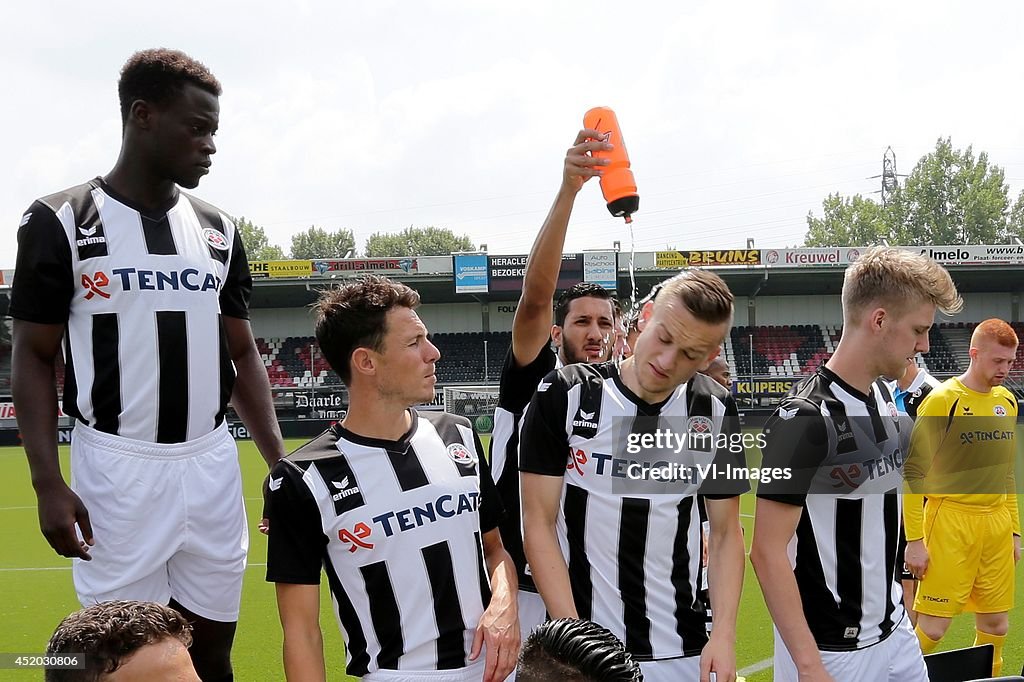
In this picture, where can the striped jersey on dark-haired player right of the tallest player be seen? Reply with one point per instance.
(398, 529)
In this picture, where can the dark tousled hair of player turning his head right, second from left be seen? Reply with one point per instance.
(355, 316)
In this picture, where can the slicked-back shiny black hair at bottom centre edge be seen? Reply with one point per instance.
(575, 651)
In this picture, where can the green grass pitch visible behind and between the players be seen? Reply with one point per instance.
(36, 589)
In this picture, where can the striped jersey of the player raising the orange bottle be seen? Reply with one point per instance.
(516, 389)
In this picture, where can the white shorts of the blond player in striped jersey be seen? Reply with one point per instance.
(898, 659)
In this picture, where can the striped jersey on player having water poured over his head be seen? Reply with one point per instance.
(632, 544)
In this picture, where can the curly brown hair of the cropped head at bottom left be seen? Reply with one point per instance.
(109, 633)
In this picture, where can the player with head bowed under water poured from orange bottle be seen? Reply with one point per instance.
(613, 532)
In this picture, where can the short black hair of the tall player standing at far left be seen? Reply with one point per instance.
(159, 75)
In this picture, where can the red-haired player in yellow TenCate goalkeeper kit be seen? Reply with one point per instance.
(965, 542)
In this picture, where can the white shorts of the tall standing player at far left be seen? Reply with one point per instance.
(168, 521)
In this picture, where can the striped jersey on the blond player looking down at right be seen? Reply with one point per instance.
(844, 449)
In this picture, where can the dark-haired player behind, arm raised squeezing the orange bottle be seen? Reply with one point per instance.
(583, 332)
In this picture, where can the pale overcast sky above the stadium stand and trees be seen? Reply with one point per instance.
(739, 117)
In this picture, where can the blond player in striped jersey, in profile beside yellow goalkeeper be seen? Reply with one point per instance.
(825, 541)
